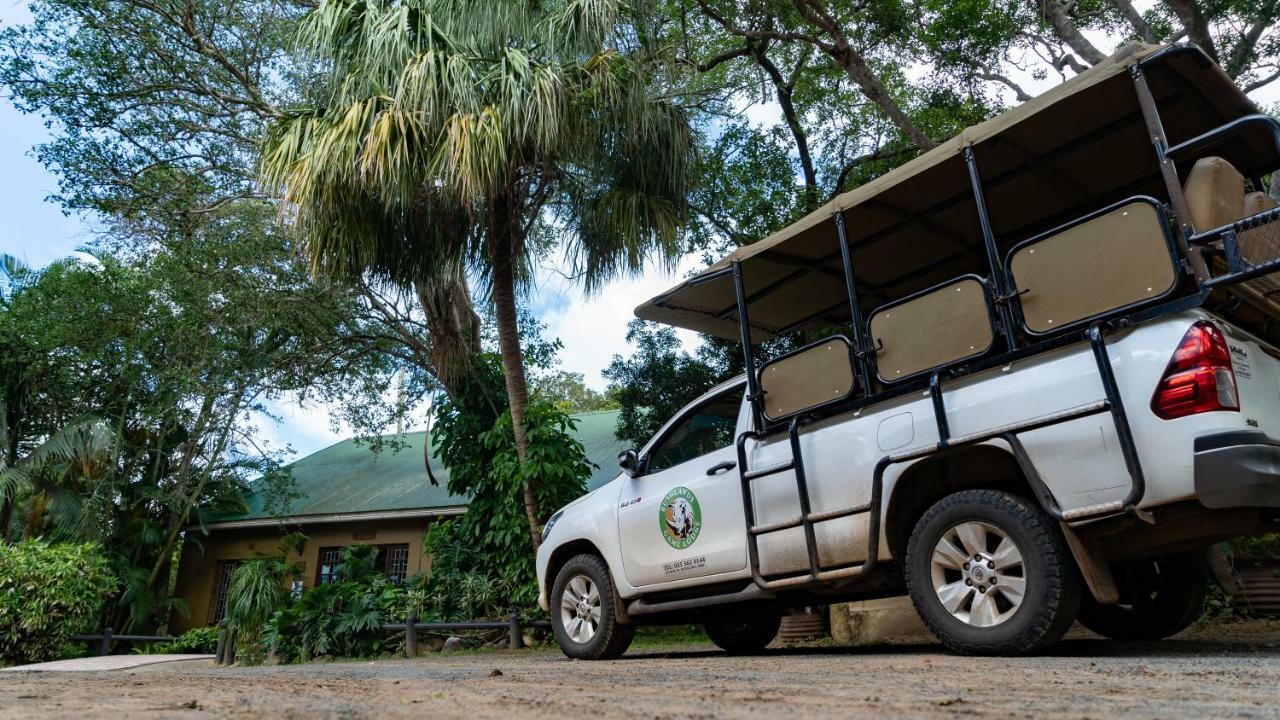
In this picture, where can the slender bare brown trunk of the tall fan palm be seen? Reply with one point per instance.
(502, 250)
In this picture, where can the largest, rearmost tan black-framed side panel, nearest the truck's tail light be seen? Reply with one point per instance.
(1107, 263)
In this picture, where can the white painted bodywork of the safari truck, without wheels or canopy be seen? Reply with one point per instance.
(1080, 462)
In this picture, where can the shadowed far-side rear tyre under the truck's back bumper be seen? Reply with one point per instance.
(1159, 599)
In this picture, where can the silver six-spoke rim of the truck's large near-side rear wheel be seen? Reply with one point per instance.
(979, 575)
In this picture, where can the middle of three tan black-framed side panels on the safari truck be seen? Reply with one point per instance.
(940, 327)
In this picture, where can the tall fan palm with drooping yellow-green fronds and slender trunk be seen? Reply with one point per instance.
(468, 138)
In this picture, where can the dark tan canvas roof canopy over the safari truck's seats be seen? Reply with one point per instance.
(1055, 158)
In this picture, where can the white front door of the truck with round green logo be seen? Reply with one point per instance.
(683, 518)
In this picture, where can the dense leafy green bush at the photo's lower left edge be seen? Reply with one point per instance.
(49, 593)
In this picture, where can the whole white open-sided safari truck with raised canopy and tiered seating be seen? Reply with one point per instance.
(1052, 382)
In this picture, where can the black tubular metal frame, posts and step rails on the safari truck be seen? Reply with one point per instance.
(1007, 322)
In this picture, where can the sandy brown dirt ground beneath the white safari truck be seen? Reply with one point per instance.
(1217, 672)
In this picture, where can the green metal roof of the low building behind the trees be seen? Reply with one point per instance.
(353, 479)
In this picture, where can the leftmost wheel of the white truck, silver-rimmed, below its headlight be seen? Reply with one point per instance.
(583, 614)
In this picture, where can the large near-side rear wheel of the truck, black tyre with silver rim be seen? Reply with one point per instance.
(991, 575)
